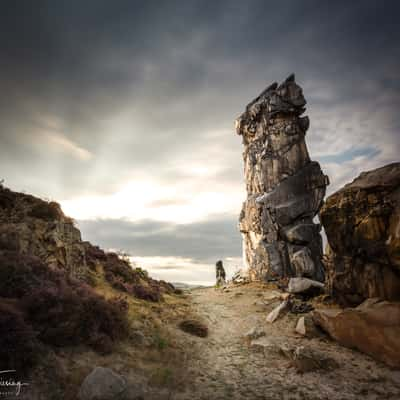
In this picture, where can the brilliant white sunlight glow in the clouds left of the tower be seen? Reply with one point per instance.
(142, 199)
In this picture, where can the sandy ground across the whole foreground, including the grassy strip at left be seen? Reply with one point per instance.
(174, 365)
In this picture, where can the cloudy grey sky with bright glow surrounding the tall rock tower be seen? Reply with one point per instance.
(123, 111)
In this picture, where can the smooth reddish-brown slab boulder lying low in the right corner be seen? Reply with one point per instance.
(373, 328)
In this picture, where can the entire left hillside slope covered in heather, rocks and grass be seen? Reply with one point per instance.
(67, 305)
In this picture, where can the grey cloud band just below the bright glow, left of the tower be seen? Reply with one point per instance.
(205, 241)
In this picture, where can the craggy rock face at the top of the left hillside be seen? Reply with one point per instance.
(35, 227)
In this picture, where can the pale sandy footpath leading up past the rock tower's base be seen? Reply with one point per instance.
(225, 366)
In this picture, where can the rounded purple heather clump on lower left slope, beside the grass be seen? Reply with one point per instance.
(67, 315)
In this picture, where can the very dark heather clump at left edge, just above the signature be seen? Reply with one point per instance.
(18, 344)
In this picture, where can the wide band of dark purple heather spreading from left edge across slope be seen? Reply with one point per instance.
(62, 311)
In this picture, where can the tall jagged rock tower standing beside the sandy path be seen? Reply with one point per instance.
(285, 189)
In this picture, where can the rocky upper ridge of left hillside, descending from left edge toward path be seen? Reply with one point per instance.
(30, 226)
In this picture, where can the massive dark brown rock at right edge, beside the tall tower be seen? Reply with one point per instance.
(362, 224)
